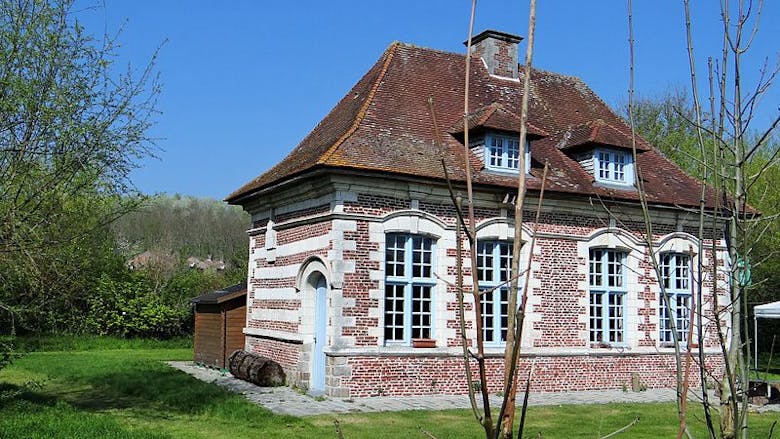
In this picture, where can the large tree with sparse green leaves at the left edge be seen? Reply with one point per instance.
(71, 130)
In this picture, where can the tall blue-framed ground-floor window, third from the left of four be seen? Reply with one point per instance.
(607, 280)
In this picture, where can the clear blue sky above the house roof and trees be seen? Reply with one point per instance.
(244, 81)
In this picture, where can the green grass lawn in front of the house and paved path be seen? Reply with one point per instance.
(107, 388)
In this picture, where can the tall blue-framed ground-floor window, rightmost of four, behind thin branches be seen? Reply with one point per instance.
(676, 280)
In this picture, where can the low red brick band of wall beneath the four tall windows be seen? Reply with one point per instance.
(413, 375)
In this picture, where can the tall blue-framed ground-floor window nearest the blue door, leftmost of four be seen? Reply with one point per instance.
(409, 286)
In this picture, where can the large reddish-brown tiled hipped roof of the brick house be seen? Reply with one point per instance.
(384, 125)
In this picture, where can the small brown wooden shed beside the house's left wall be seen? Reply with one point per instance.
(219, 322)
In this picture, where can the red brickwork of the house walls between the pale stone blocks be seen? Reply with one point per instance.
(559, 309)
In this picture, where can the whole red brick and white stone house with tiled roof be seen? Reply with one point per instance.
(352, 228)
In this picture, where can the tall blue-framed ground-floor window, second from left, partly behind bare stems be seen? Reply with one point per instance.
(494, 264)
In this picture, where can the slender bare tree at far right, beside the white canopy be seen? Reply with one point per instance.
(728, 135)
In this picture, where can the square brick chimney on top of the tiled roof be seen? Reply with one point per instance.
(498, 50)
